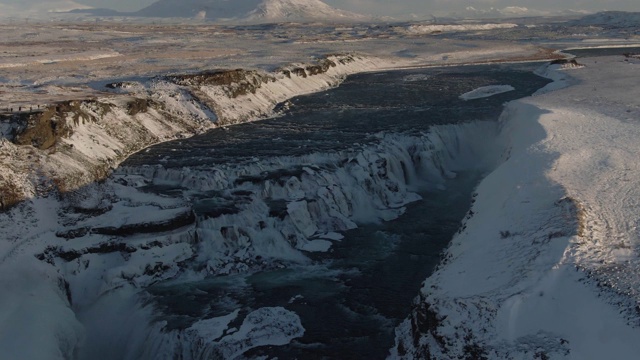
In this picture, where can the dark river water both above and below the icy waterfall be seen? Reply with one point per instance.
(350, 299)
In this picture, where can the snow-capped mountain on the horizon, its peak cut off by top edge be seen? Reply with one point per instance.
(250, 10)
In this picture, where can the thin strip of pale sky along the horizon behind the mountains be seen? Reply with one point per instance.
(400, 7)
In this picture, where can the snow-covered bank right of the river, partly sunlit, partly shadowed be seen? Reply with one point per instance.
(548, 265)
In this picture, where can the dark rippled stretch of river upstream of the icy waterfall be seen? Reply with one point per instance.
(365, 104)
